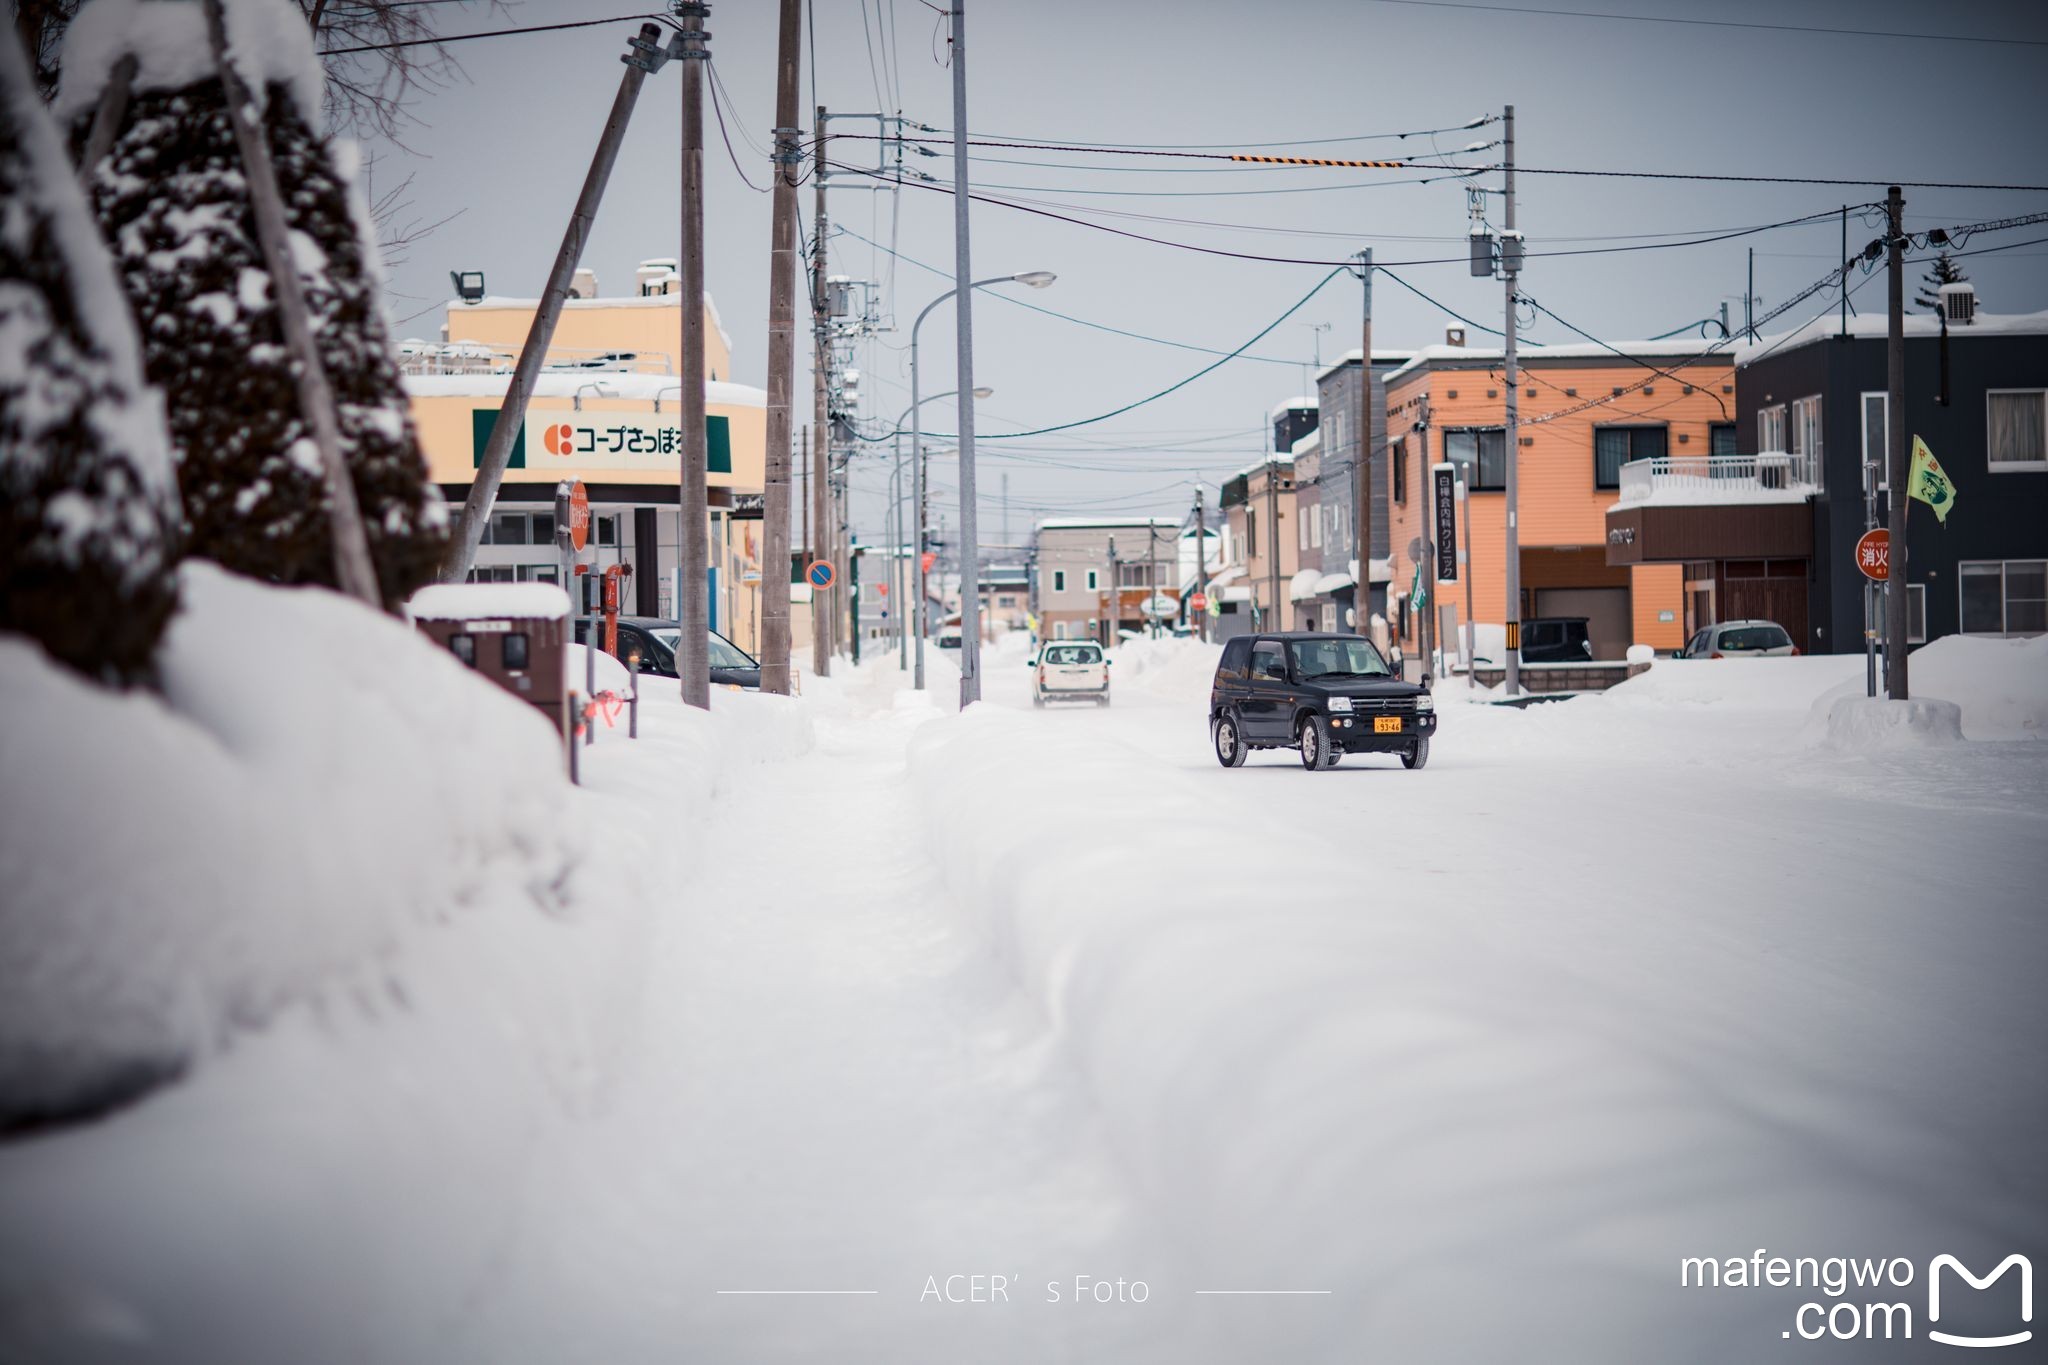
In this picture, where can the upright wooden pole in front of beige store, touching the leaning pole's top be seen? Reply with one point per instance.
(693, 611)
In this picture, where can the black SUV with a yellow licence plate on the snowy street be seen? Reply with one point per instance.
(1320, 695)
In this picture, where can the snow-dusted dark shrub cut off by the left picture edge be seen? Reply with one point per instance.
(85, 480)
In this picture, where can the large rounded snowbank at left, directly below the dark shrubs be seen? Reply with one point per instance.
(314, 783)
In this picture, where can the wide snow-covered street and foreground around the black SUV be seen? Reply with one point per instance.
(1611, 983)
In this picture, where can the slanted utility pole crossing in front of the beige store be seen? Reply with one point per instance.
(646, 56)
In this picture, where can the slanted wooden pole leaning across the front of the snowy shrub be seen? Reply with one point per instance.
(353, 568)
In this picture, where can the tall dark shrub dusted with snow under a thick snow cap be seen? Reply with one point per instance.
(175, 208)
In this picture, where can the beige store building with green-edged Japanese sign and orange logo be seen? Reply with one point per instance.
(607, 414)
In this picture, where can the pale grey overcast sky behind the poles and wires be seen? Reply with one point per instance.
(509, 146)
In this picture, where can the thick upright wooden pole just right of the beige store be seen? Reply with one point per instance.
(781, 355)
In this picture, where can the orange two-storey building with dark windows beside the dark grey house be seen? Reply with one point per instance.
(1584, 412)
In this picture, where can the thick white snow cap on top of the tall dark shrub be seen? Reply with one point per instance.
(269, 40)
